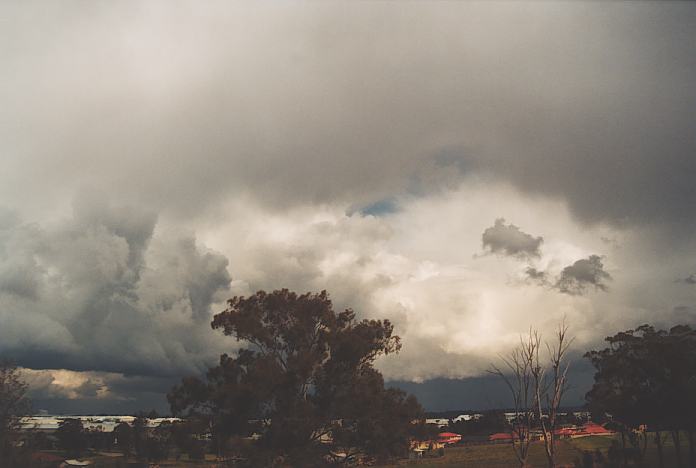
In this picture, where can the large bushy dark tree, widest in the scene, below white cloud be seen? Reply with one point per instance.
(304, 383)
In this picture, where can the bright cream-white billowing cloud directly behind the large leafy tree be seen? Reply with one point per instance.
(419, 267)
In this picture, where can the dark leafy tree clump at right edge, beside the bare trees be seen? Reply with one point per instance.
(646, 378)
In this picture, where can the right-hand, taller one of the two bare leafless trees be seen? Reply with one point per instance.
(550, 386)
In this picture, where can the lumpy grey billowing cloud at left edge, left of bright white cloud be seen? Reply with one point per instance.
(99, 292)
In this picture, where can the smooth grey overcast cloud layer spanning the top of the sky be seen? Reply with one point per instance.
(299, 111)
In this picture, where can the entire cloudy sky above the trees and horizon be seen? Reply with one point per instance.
(466, 170)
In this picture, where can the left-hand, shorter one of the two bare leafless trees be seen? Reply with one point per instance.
(518, 375)
